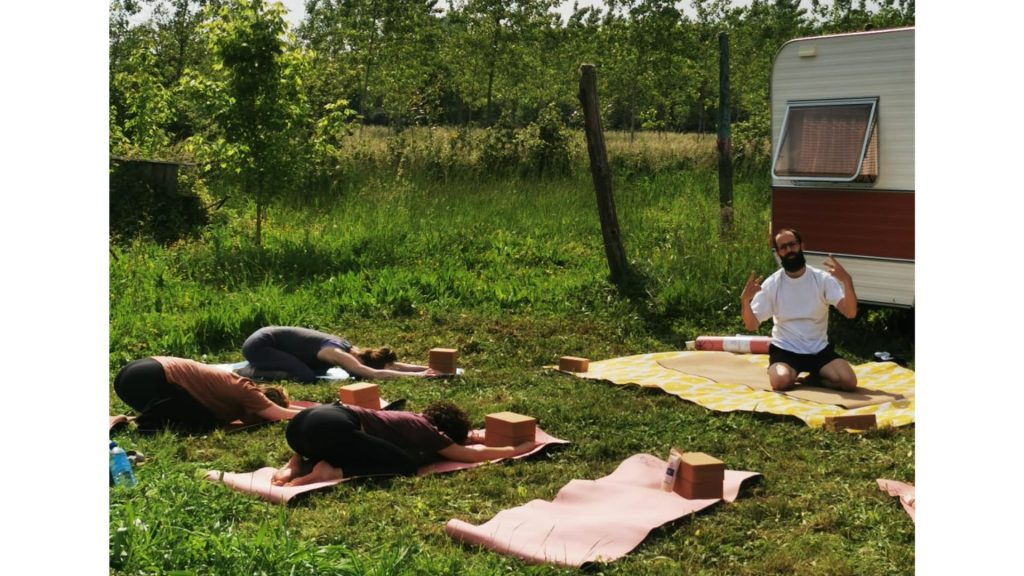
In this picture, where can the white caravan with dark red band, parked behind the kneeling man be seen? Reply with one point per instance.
(842, 131)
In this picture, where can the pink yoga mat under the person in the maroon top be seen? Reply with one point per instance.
(259, 483)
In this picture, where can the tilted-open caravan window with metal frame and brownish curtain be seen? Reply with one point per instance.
(829, 141)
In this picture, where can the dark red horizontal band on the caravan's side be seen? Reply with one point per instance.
(857, 223)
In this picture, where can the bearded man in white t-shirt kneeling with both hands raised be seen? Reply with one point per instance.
(797, 299)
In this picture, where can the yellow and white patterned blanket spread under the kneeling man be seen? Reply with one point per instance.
(728, 395)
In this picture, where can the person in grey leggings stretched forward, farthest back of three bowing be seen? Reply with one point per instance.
(301, 354)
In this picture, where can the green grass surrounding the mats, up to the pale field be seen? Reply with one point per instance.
(513, 273)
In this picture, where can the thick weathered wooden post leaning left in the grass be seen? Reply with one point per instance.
(603, 176)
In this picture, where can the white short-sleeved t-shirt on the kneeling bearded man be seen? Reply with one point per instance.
(799, 309)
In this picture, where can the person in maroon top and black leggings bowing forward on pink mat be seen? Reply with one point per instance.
(342, 441)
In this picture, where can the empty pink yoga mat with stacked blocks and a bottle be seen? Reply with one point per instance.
(591, 520)
